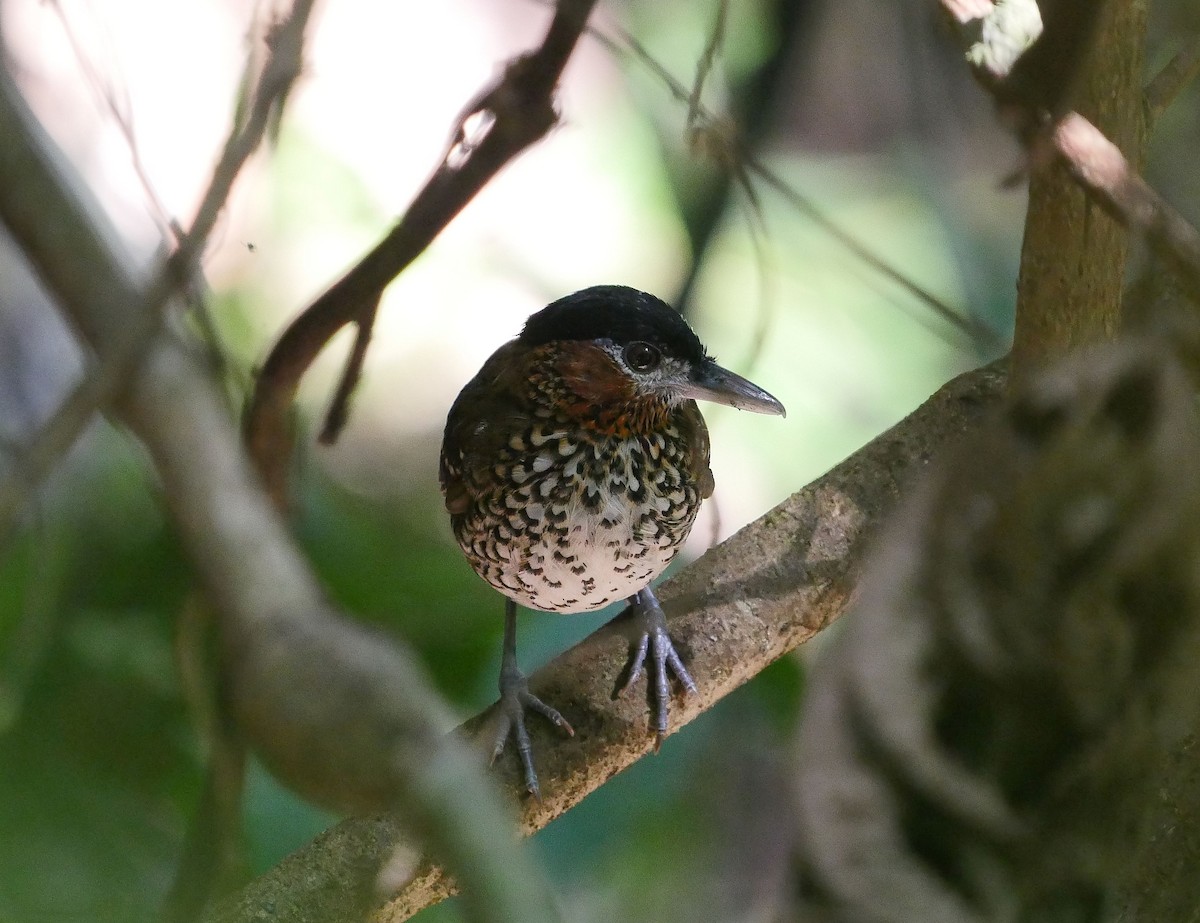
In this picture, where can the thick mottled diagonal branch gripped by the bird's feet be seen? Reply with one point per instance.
(733, 613)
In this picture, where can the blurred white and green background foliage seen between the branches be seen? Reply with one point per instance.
(865, 107)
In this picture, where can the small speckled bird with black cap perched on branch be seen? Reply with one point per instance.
(573, 468)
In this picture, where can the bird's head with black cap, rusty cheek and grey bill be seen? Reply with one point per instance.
(619, 346)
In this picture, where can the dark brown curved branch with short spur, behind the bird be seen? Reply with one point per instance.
(514, 113)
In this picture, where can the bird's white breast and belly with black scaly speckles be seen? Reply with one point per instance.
(571, 524)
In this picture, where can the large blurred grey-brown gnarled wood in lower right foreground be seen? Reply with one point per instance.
(982, 741)
